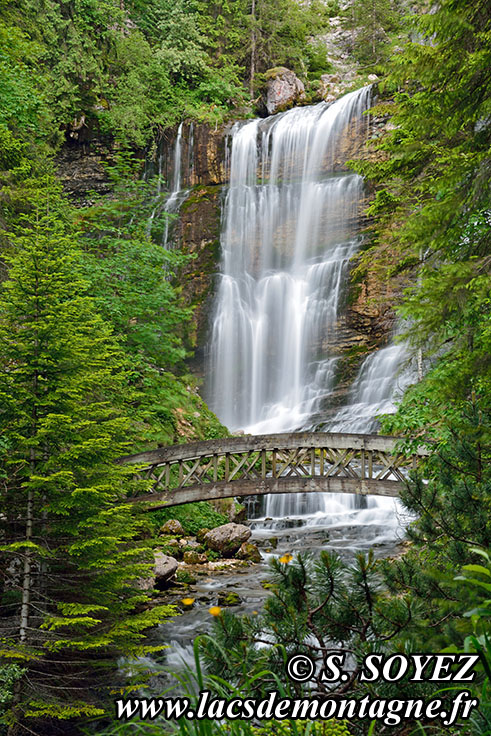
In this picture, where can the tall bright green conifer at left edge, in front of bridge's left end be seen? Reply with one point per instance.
(71, 602)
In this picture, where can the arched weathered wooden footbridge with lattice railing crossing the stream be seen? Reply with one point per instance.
(301, 462)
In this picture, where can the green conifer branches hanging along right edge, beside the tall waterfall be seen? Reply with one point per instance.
(432, 229)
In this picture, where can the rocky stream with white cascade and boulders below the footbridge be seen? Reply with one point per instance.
(352, 525)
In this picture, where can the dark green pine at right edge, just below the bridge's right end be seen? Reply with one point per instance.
(453, 514)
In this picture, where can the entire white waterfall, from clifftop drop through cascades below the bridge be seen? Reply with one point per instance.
(289, 227)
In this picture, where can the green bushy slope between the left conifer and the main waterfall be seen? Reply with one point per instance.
(132, 282)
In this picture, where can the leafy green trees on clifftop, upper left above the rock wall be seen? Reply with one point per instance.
(122, 70)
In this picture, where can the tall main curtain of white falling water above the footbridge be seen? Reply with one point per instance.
(290, 226)
